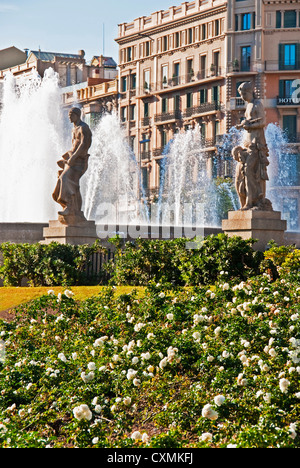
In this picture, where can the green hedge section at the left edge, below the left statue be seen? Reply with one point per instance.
(46, 265)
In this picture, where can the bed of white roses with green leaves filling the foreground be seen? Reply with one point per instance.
(199, 367)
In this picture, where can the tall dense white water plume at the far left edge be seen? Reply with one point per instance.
(31, 138)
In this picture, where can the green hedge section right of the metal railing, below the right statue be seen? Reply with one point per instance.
(172, 261)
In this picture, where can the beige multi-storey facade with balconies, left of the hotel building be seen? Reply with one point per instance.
(172, 77)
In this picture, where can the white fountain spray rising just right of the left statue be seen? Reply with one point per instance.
(112, 185)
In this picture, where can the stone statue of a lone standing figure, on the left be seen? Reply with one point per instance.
(73, 166)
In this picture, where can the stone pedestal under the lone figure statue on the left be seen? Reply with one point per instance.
(83, 233)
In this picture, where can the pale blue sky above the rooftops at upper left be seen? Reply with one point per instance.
(70, 25)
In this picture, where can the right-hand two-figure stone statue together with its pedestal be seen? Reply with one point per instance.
(256, 219)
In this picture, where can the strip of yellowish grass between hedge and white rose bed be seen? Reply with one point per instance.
(13, 297)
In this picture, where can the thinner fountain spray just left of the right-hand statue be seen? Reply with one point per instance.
(188, 194)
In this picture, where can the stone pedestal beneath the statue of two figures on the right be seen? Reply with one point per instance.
(262, 225)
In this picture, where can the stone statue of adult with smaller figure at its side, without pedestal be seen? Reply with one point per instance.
(252, 174)
